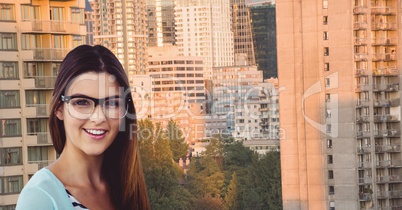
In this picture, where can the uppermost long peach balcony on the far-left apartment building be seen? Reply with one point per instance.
(50, 26)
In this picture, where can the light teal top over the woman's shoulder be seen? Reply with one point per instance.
(44, 191)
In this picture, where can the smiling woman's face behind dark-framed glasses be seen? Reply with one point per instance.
(86, 133)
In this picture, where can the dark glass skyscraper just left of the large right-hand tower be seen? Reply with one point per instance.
(264, 37)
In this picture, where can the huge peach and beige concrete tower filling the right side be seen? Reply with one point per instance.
(340, 107)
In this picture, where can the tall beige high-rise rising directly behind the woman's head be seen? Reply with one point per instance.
(120, 25)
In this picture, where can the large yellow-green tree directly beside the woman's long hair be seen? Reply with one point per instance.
(162, 174)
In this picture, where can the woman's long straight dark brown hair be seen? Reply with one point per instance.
(121, 165)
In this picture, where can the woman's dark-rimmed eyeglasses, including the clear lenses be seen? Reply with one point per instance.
(82, 107)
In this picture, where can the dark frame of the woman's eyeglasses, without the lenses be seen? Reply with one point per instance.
(97, 101)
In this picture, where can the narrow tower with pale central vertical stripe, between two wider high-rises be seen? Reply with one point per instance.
(160, 22)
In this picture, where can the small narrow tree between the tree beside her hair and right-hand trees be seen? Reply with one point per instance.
(178, 145)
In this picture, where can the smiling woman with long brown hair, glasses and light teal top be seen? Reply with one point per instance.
(92, 113)
